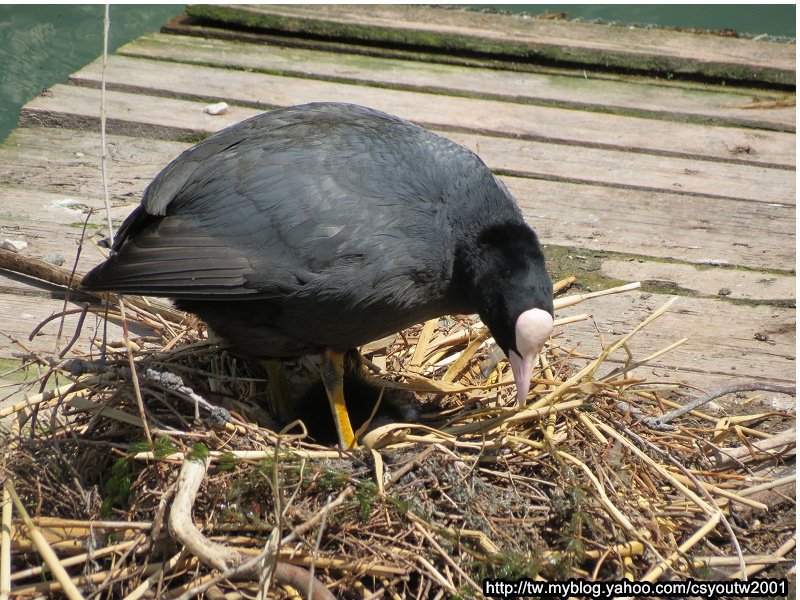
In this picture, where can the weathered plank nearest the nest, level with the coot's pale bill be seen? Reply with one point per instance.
(726, 342)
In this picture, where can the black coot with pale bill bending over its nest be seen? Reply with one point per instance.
(319, 228)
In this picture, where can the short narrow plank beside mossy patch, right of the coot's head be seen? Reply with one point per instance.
(704, 280)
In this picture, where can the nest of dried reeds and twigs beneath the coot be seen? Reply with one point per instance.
(179, 477)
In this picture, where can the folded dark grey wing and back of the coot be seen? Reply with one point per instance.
(335, 201)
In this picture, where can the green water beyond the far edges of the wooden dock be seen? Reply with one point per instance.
(42, 44)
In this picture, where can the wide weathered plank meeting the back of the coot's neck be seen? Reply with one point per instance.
(693, 229)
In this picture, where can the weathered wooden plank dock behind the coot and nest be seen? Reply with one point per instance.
(651, 155)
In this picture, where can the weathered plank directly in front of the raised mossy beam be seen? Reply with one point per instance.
(708, 104)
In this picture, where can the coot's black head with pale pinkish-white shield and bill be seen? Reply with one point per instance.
(513, 294)
